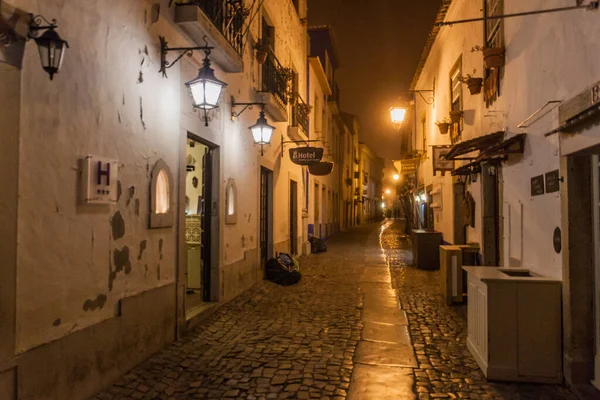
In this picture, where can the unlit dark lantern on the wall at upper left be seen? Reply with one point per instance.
(51, 46)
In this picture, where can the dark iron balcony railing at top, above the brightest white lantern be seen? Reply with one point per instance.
(228, 17)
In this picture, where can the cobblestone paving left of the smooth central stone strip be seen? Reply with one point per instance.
(271, 342)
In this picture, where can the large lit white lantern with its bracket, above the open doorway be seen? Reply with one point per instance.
(205, 89)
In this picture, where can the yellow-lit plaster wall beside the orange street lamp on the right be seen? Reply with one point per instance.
(451, 44)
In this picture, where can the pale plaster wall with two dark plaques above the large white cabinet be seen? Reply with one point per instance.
(537, 71)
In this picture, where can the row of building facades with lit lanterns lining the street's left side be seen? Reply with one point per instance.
(192, 207)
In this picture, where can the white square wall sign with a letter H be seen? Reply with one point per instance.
(99, 180)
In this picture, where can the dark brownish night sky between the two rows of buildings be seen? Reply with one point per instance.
(379, 43)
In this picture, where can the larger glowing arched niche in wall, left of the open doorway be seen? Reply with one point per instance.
(161, 196)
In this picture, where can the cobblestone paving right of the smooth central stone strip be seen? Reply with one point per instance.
(439, 333)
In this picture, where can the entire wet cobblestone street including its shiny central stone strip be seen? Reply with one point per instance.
(311, 340)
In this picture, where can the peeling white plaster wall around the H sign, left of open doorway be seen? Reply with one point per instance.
(94, 106)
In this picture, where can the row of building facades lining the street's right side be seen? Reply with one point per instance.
(523, 142)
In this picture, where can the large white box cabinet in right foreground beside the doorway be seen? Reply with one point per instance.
(514, 321)
